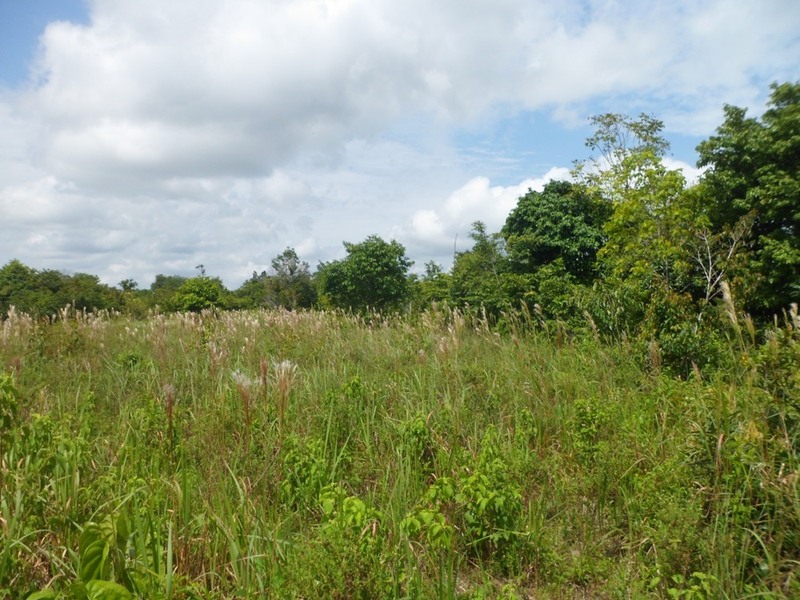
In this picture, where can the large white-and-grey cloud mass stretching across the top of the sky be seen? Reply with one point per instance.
(236, 88)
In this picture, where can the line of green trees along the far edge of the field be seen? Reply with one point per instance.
(626, 248)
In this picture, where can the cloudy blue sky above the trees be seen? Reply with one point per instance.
(142, 137)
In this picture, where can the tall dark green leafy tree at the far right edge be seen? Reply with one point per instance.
(753, 172)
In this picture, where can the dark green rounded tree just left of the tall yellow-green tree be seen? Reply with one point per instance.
(565, 221)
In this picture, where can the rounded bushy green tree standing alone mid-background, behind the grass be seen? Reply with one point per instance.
(373, 275)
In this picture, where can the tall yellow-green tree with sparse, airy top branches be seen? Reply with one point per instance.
(648, 271)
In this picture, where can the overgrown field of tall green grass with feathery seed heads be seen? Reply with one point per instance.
(321, 455)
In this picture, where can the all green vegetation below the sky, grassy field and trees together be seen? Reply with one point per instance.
(600, 400)
